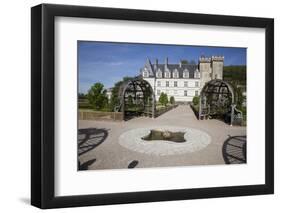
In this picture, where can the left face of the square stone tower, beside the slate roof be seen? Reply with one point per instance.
(205, 69)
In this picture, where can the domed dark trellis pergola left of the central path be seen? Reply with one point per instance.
(136, 98)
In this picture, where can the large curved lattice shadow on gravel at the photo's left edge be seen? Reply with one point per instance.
(90, 138)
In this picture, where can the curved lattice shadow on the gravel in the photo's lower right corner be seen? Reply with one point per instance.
(234, 150)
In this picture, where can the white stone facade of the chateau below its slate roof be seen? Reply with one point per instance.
(191, 87)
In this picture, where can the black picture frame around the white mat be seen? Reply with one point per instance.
(43, 105)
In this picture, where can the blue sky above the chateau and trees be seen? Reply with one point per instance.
(108, 62)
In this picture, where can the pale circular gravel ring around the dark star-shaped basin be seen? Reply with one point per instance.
(195, 141)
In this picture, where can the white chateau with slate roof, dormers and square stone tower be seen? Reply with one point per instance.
(182, 80)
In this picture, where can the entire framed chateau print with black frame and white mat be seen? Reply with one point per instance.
(139, 106)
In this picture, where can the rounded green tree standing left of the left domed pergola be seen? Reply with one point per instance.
(97, 96)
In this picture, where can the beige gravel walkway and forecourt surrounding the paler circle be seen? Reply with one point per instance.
(99, 147)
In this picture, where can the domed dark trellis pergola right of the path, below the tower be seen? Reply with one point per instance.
(217, 100)
